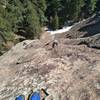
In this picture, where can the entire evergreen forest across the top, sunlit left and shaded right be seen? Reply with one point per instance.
(27, 17)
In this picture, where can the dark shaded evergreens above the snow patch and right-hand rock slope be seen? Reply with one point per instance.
(73, 10)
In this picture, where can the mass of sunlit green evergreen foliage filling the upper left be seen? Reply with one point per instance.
(20, 17)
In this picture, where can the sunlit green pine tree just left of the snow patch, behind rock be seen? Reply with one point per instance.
(30, 25)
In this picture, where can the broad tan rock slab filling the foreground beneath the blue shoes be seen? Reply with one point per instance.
(66, 72)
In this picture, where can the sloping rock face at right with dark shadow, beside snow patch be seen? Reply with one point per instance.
(86, 32)
